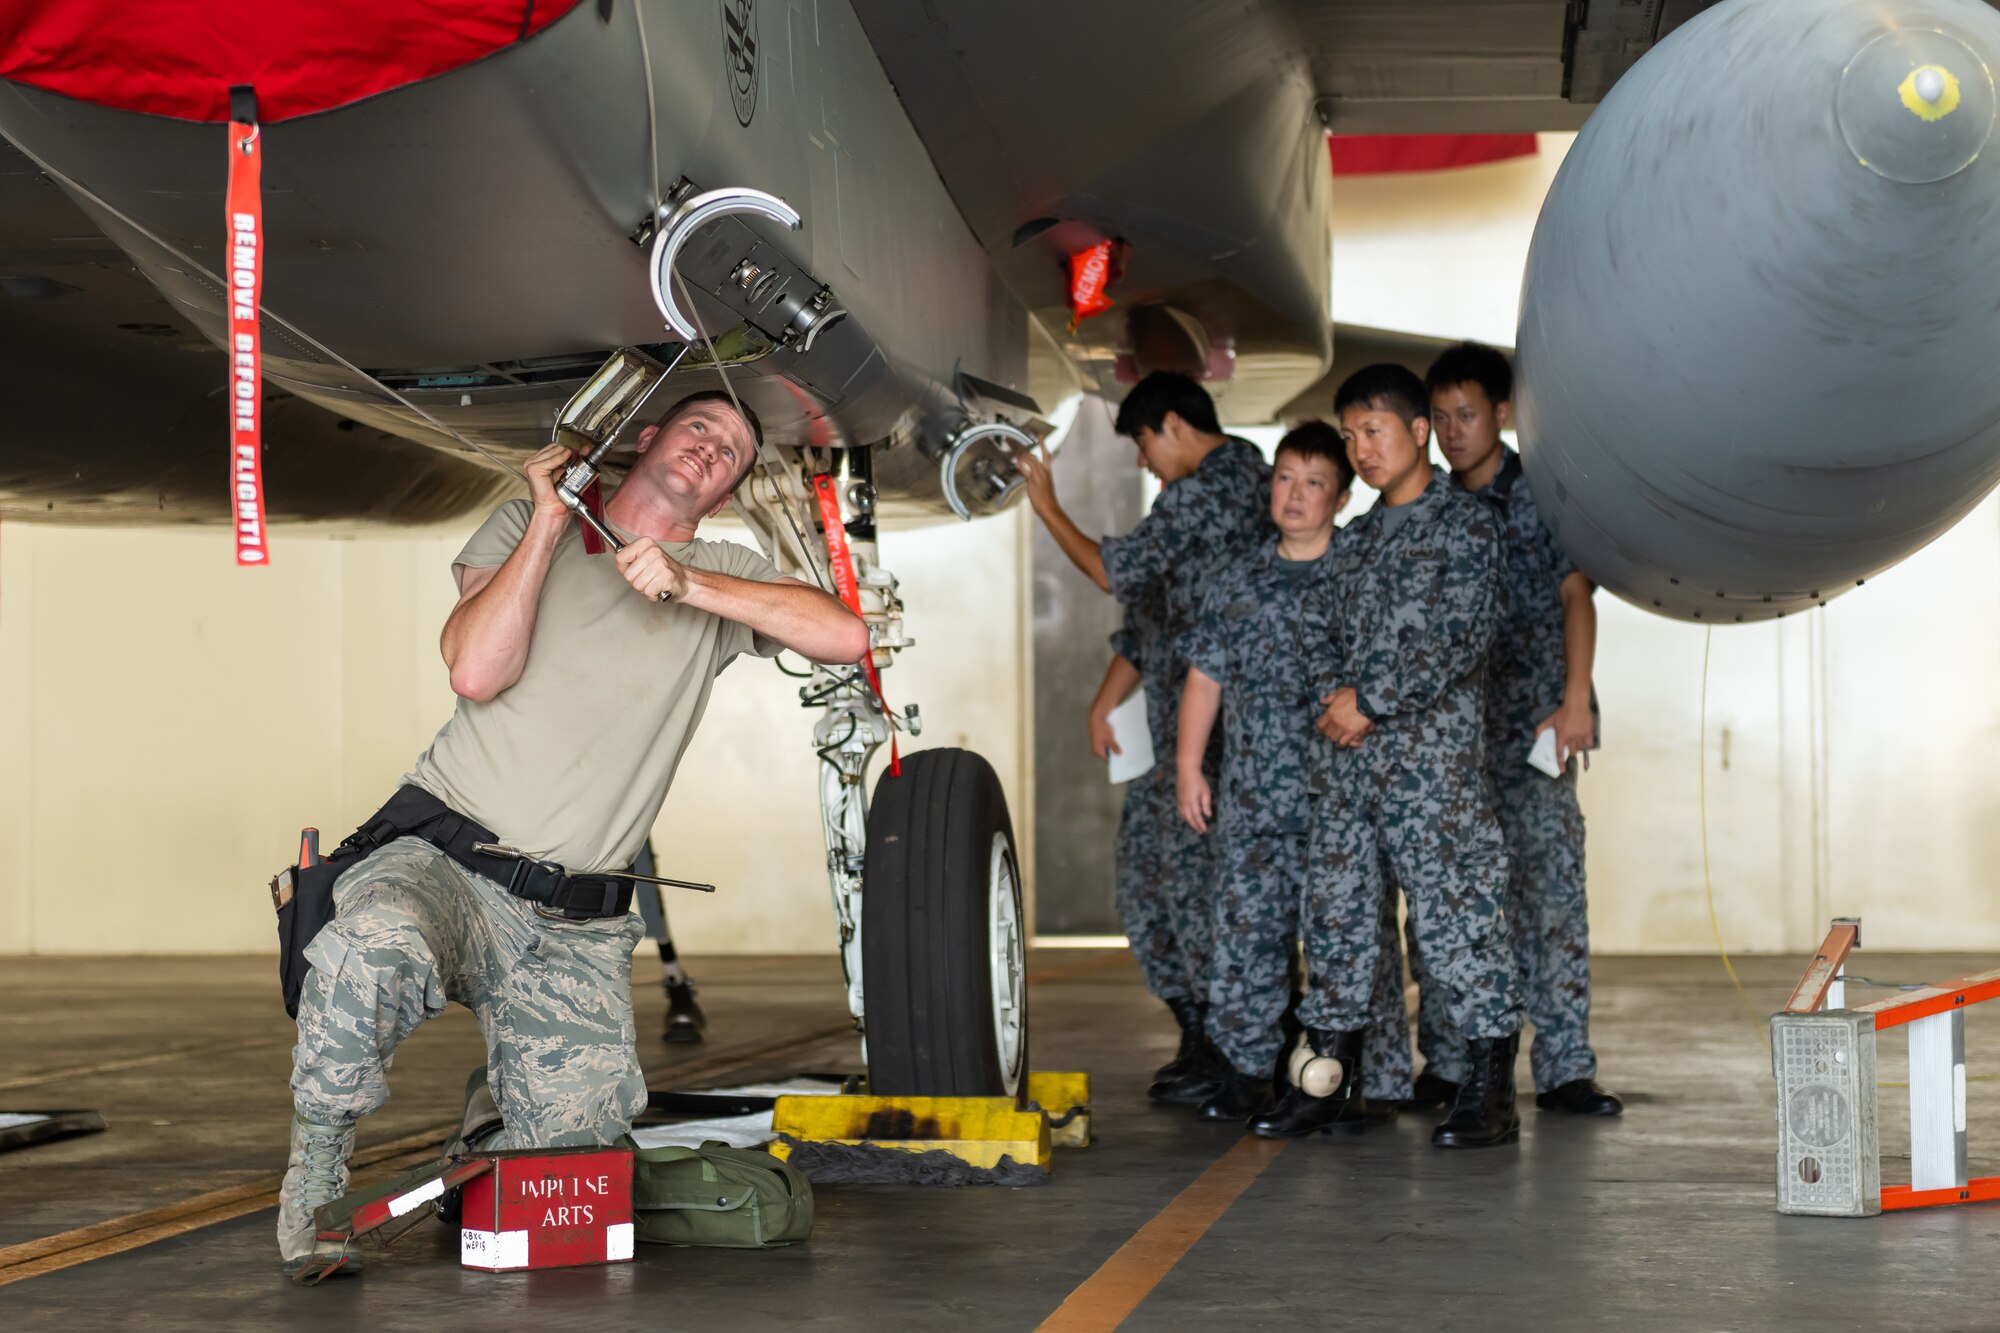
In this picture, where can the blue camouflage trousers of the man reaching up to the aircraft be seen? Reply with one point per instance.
(1165, 882)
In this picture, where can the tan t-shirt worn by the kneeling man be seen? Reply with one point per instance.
(573, 762)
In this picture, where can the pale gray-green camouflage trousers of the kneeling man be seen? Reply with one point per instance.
(411, 932)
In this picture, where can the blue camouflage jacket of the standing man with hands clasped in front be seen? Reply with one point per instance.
(1413, 617)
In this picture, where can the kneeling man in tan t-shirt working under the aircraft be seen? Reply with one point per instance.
(581, 682)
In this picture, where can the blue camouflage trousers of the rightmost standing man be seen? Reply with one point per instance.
(1551, 932)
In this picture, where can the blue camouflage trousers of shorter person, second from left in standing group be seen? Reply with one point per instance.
(1251, 968)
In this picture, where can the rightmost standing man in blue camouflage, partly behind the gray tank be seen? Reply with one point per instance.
(1537, 682)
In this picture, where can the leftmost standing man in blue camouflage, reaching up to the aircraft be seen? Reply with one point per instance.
(1213, 501)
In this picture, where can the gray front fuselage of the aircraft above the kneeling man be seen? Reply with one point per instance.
(487, 215)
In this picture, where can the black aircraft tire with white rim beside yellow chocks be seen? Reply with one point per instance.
(943, 934)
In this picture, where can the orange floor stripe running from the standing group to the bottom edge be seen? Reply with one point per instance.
(1129, 1278)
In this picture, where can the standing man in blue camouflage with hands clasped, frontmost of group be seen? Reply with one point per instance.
(1401, 794)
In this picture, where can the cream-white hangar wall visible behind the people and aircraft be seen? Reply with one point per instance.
(167, 722)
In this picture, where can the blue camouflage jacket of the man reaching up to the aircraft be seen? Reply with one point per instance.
(1161, 569)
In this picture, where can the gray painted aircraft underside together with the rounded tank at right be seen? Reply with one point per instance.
(1751, 365)
